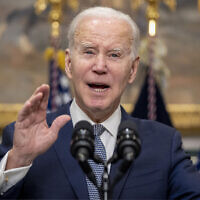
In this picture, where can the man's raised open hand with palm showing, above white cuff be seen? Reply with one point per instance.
(32, 136)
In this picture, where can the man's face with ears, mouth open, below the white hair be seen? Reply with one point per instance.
(100, 65)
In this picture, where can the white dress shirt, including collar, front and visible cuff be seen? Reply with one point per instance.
(8, 178)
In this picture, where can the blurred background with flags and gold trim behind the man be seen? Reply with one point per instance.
(31, 53)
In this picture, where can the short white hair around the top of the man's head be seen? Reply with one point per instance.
(108, 13)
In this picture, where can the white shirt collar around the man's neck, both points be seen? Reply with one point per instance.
(111, 124)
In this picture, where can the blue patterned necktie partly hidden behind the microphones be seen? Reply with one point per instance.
(97, 168)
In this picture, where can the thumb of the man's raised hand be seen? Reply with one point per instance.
(59, 122)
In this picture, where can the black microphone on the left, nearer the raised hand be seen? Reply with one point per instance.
(82, 147)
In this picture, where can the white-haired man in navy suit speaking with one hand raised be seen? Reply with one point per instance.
(101, 60)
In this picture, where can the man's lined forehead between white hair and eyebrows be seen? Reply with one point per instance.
(103, 30)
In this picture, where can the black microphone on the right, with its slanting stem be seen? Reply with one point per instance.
(128, 148)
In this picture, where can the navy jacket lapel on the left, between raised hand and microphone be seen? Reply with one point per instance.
(70, 166)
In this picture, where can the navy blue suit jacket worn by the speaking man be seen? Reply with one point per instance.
(162, 170)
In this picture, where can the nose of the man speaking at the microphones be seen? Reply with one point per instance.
(100, 65)
